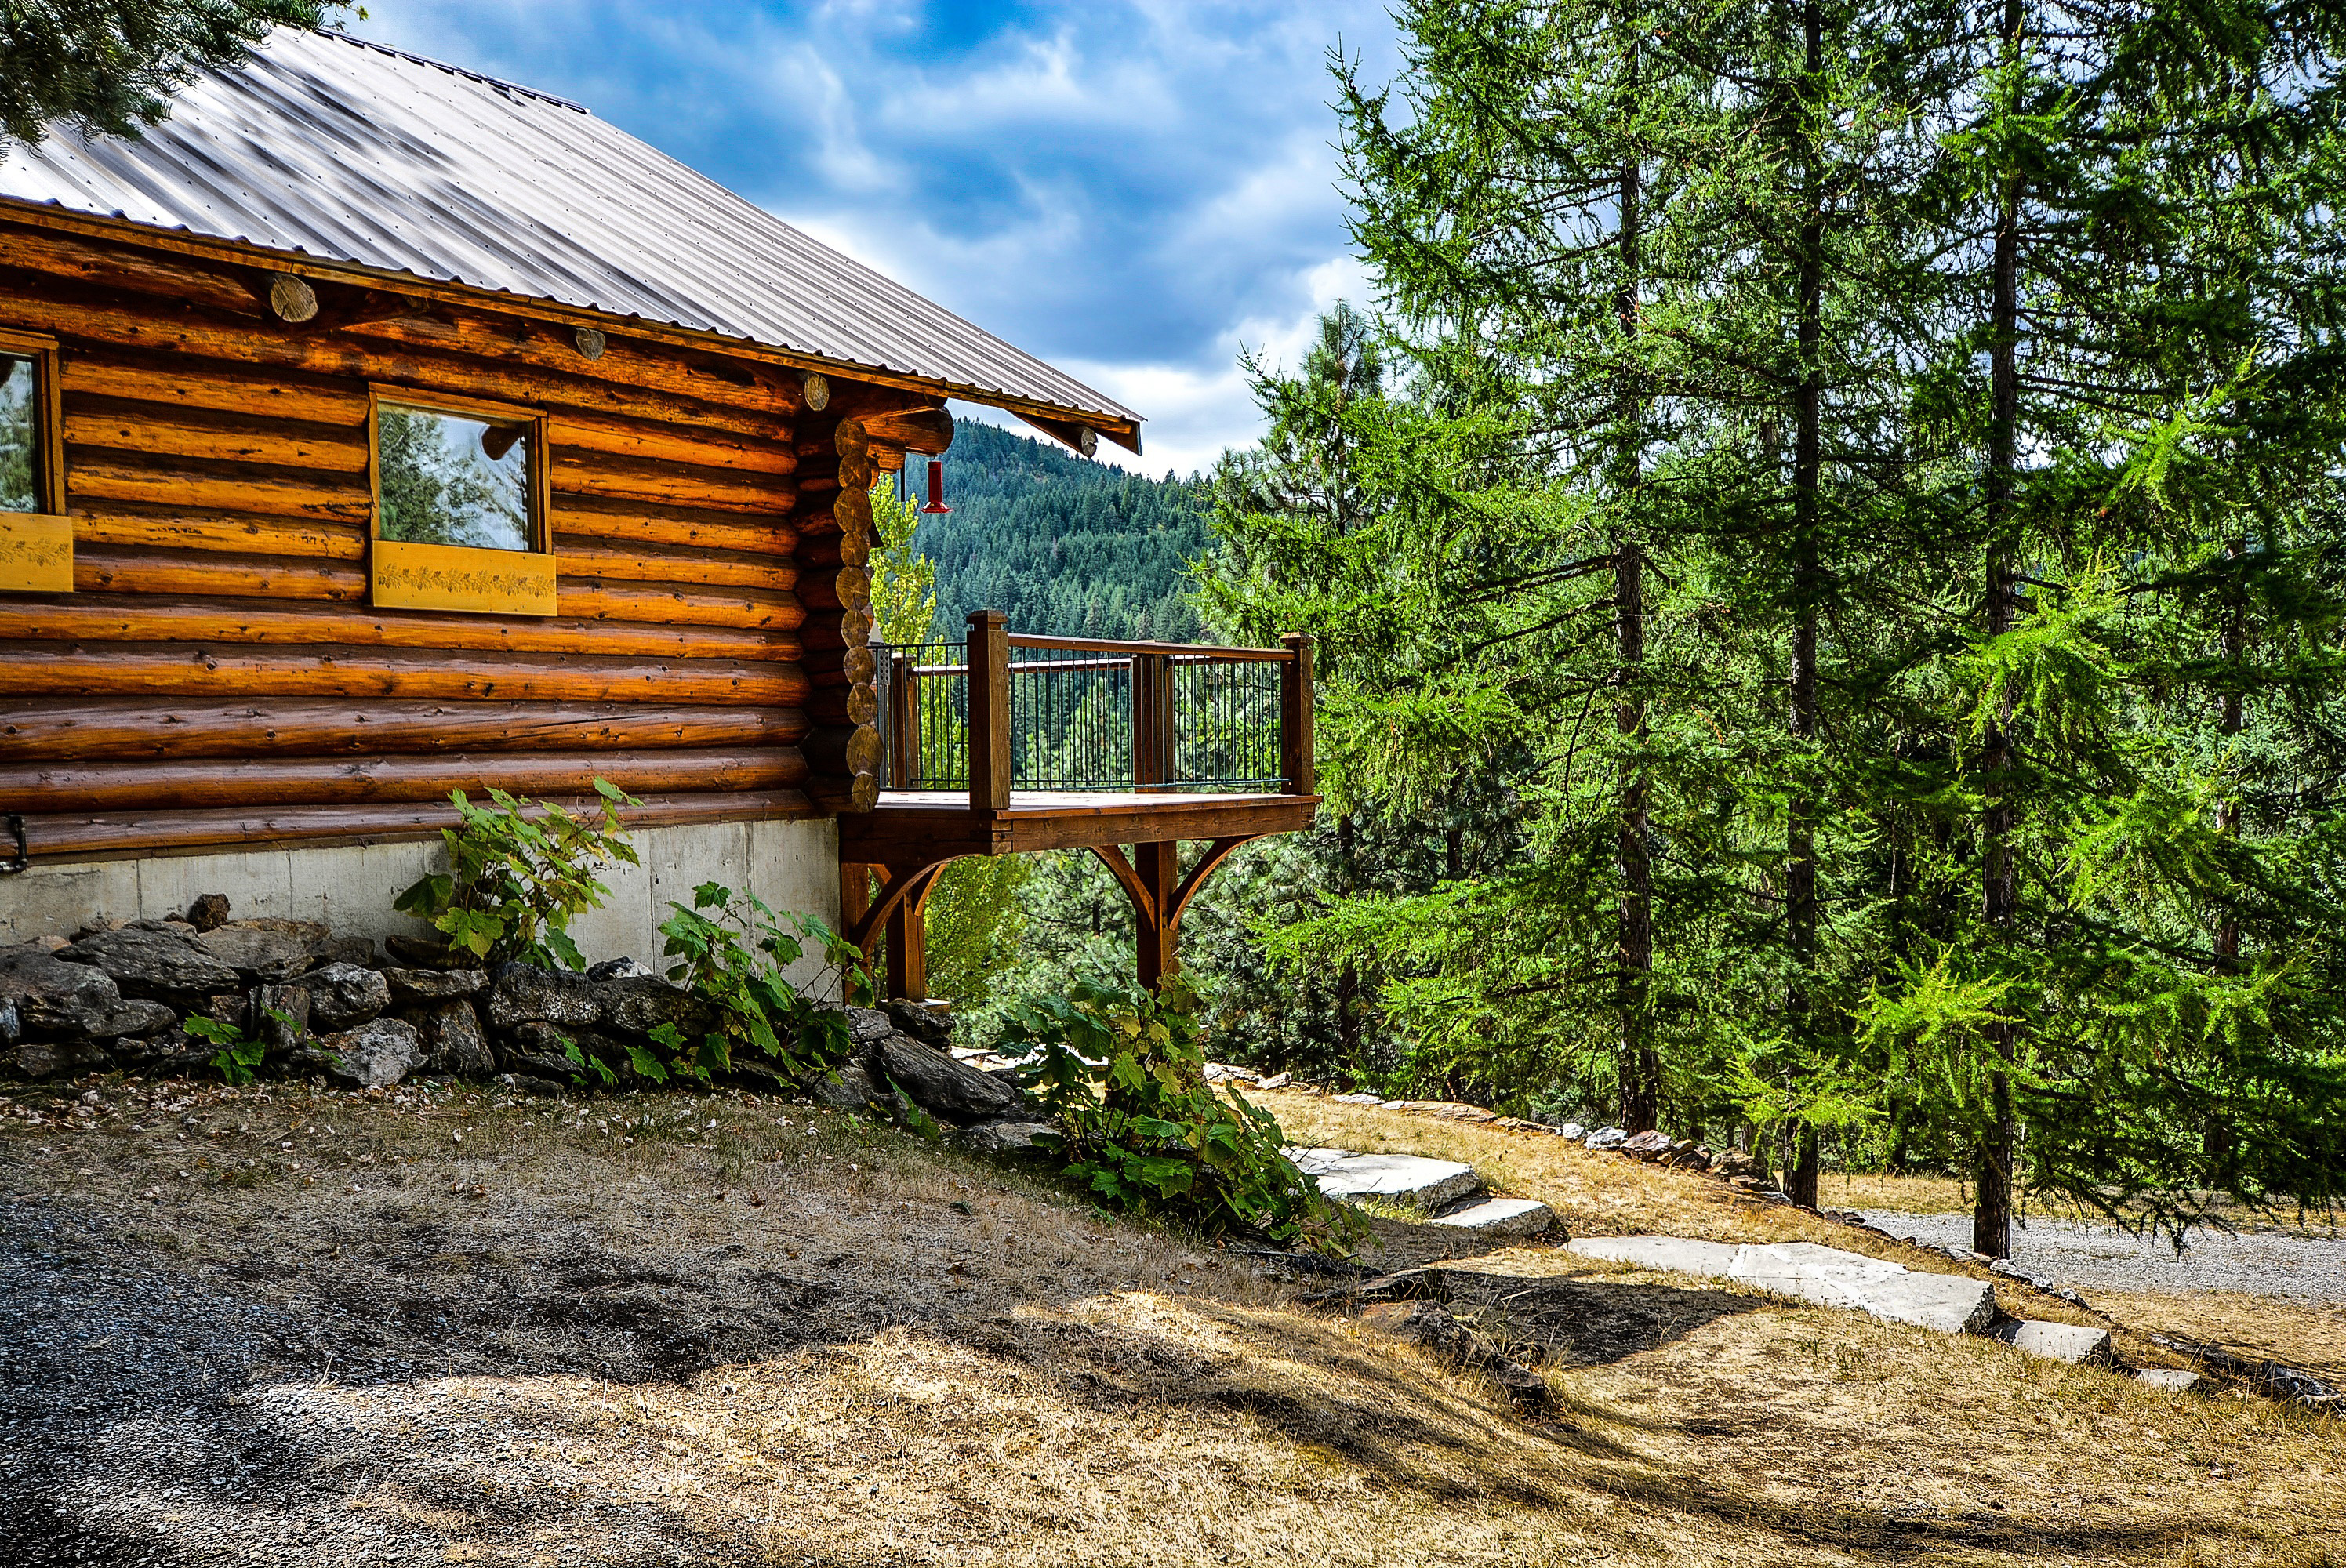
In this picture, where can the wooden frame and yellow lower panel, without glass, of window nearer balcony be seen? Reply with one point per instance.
(470, 579)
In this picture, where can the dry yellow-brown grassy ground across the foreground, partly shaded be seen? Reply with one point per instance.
(710, 1330)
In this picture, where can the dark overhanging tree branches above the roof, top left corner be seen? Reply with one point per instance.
(107, 67)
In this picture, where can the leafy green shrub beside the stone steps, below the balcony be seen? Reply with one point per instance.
(1125, 1074)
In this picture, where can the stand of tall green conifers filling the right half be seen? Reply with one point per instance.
(1862, 492)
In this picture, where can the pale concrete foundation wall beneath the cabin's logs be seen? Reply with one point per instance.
(792, 865)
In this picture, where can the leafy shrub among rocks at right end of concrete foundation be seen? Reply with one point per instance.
(733, 954)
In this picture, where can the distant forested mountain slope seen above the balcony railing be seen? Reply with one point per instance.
(1059, 543)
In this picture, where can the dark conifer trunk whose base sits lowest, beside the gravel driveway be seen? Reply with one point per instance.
(2000, 879)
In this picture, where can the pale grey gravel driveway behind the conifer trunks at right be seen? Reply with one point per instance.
(2103, 1259)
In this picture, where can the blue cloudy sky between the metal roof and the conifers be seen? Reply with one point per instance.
(1127, 191)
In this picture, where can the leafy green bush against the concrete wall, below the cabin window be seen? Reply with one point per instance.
(517, 874)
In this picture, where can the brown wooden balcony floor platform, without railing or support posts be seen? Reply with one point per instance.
(925, 825)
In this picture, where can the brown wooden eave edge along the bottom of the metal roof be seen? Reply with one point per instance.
(1052, 419)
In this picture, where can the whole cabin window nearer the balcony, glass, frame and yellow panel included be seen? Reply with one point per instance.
(461, 508)
